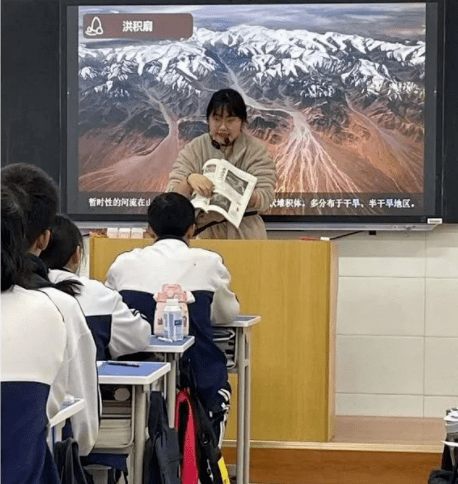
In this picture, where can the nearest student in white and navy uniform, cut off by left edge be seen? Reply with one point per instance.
(33, 356)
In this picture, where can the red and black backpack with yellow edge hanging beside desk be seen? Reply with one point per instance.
(202, 458)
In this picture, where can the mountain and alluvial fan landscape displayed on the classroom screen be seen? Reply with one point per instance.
(341, 113)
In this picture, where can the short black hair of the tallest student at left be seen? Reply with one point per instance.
(41, 202)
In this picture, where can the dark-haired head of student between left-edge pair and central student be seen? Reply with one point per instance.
(66, 245)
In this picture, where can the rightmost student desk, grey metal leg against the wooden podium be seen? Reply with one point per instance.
(243, 326)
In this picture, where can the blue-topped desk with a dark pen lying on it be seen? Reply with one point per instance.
(140, 376)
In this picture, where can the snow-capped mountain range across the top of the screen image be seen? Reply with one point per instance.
(258, 57)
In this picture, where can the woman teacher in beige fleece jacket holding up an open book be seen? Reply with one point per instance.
(226, 139)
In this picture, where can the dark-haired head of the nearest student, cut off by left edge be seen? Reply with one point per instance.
(15, 266)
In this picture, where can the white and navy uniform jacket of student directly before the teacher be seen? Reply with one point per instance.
(141, 273)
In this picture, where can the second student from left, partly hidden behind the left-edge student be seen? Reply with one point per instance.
(38, 196)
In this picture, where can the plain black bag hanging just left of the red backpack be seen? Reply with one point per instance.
(161, 462)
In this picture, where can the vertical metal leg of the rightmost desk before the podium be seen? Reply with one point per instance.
(240, 406)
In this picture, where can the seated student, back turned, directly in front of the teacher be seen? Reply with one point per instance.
(141, 273)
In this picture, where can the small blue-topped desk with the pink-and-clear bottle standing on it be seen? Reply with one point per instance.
(172, 351)
